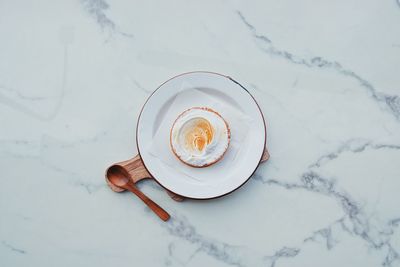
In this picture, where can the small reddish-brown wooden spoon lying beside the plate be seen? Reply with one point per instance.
(119, 177)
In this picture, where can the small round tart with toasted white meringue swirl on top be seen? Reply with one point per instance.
(199, 137)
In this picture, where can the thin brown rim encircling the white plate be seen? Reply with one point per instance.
(209, 72)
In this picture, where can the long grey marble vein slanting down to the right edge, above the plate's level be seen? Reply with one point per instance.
(390, 103)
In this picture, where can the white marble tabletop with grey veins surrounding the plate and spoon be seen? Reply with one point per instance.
(74, 74)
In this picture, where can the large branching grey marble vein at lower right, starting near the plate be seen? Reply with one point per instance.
(311, 181)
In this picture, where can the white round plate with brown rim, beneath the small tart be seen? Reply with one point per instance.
(208, 182)
